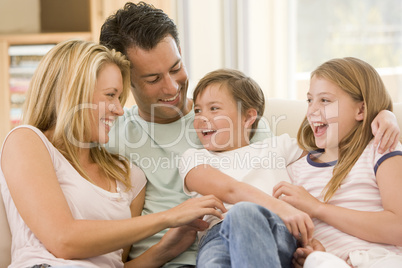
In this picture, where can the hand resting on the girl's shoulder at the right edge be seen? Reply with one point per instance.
(385, 130)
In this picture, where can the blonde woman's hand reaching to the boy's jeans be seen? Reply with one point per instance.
(191, 210)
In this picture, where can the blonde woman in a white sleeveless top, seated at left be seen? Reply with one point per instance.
(69, 202)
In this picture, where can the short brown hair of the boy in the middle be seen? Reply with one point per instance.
(243, 89)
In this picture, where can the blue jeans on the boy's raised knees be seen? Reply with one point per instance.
(249, 236)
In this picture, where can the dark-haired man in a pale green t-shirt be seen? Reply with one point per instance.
(155, 132)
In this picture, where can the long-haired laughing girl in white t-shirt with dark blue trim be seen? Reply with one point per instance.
(348, 187)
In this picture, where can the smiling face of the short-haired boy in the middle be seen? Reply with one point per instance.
(218, 121)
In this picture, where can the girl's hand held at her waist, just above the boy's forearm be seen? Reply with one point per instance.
(298, 197)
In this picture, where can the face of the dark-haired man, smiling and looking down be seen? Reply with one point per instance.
(159, 79)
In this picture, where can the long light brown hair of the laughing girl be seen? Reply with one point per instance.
(362, 82)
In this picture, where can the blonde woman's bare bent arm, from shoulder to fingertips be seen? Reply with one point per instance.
(35, 190)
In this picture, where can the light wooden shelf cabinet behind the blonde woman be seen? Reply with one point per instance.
(83, 21)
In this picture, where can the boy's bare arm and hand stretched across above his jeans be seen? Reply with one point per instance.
(205, 179)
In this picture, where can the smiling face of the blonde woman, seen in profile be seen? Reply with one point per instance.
(106, 104)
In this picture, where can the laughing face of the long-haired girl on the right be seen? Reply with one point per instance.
(332, 113)
